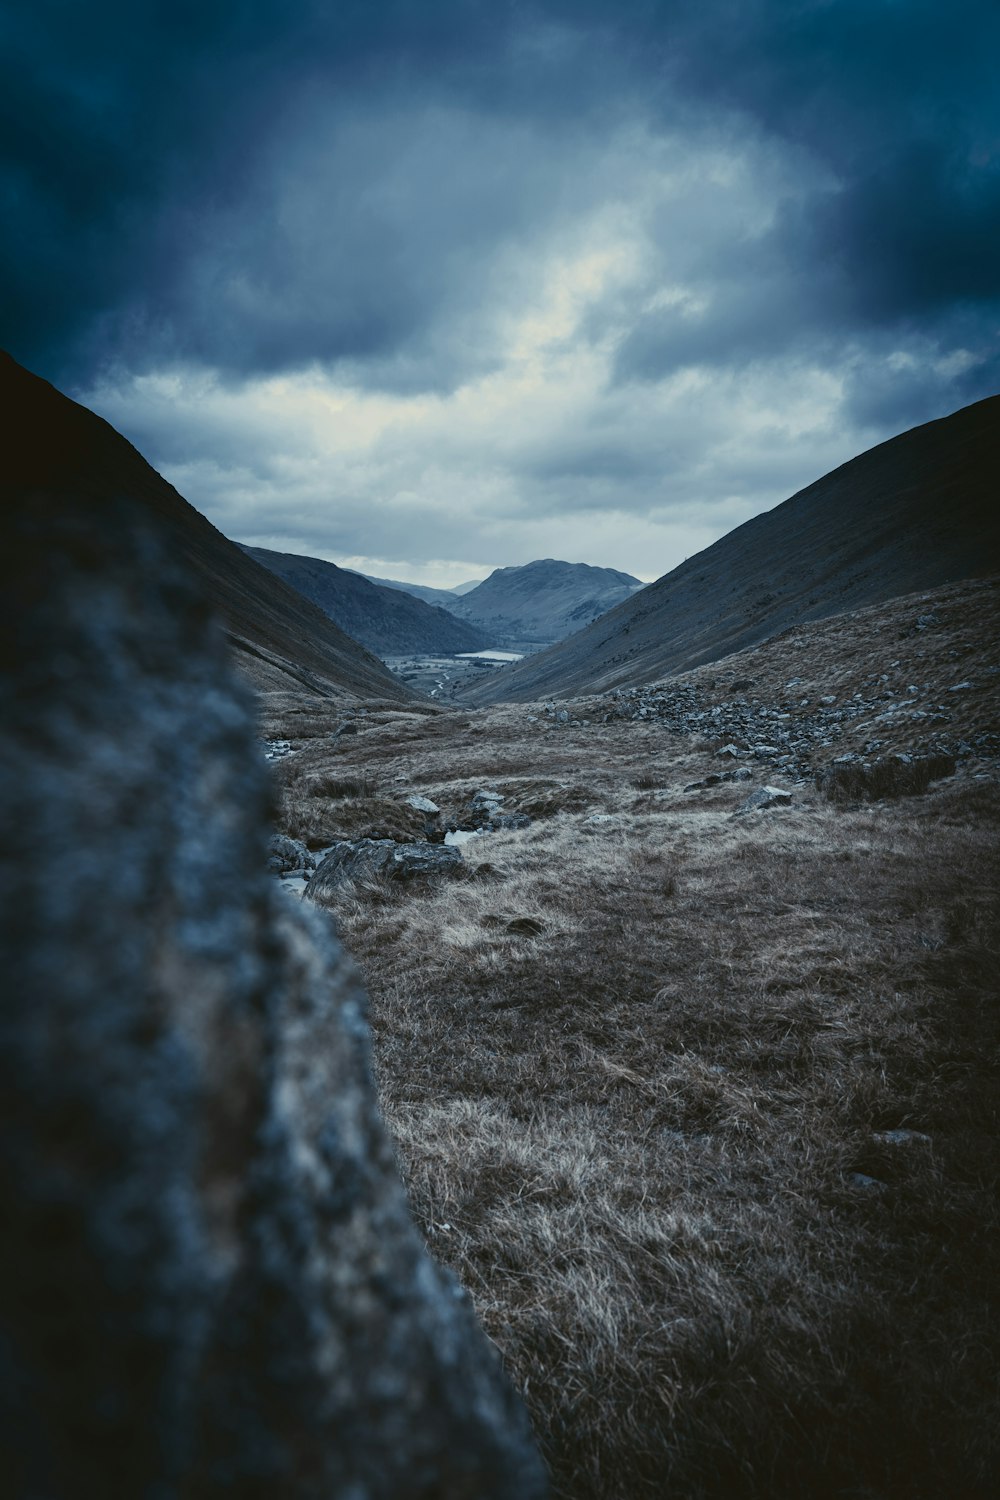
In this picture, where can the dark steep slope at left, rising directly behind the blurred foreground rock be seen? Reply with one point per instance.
(280, 640)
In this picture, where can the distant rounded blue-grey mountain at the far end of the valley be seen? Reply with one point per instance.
(542, 602)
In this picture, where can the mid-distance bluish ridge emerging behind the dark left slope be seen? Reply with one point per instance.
(386, 620)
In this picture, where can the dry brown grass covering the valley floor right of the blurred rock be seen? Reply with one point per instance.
(713, 1139)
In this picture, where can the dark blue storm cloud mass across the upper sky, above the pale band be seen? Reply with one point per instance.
(256, 187)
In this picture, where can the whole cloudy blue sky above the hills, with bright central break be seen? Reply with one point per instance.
(430, 289)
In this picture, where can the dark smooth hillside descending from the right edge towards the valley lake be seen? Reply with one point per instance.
(917, 512)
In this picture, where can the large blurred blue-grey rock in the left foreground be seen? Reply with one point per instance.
(211, 1282)
